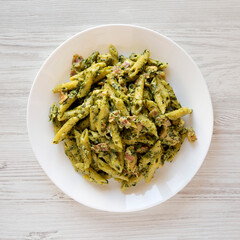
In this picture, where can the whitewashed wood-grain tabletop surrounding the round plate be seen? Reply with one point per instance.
(33, 208)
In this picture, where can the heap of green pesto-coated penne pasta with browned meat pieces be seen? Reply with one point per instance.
(119, 117)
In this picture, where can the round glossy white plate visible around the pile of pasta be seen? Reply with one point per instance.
(185, 78)
